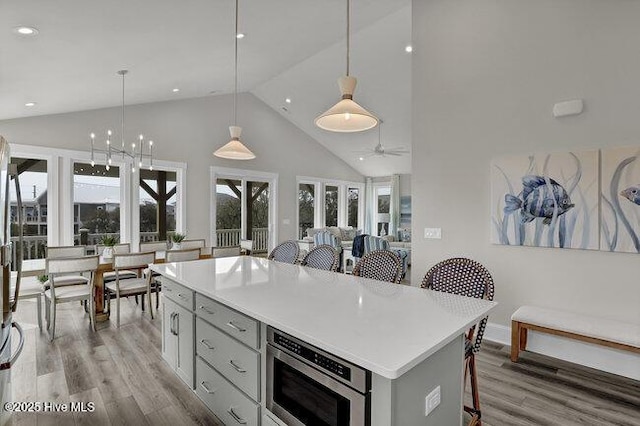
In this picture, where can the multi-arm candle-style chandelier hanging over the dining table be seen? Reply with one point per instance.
(136, 152)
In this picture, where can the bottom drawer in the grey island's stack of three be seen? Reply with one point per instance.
(228, 403)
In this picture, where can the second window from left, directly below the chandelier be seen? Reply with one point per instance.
(96, 203)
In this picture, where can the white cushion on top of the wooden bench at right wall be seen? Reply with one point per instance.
(585, 325)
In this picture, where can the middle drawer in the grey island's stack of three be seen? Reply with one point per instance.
(235, 361)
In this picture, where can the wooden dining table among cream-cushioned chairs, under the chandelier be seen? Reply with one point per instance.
(34, 267)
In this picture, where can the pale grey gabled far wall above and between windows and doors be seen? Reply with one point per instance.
(189, 131)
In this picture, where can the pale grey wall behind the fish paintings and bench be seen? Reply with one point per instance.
(486, 74)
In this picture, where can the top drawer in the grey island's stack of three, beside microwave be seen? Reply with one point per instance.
(233, 323)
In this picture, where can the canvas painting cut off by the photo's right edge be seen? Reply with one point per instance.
(620, 196)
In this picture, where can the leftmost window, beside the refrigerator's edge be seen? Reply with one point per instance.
(32, 175)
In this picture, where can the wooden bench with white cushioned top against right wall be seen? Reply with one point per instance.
(586, 328)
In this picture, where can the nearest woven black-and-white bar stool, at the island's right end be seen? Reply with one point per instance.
(468, 278)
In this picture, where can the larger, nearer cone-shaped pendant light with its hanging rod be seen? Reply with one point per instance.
(347, 115)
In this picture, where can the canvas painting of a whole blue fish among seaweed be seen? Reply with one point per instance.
(546, 200)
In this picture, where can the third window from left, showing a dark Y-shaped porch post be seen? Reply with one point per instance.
(157, 204)
